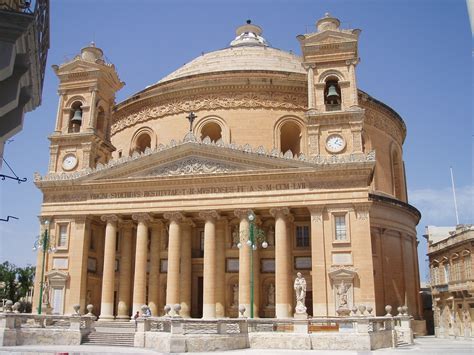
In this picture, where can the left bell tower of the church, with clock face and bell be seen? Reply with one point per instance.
(87, 87)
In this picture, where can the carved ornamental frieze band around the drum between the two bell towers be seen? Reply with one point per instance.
(270, 100)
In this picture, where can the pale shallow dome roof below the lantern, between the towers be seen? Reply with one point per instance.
(238, 59)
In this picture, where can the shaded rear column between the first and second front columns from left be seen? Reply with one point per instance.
(125, 270)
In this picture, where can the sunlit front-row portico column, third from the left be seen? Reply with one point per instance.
(174, 251)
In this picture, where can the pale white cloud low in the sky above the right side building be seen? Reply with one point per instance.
(437, 206)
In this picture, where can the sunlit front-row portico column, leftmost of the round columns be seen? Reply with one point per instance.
(108, 274)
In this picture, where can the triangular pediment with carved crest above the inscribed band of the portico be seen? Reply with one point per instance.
(192, 158)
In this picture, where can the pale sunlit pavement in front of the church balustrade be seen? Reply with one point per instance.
(423, 345)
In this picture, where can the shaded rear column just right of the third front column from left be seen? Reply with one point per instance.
(186, 268)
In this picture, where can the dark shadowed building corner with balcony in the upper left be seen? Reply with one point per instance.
(24, 44)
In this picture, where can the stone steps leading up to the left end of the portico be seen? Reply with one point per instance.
(111, 334)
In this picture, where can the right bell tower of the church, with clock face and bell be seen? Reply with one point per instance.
(335, 119)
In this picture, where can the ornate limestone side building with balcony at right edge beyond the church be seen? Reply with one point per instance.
(452, 280)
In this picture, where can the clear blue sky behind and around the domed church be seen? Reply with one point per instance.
(416, 56)
